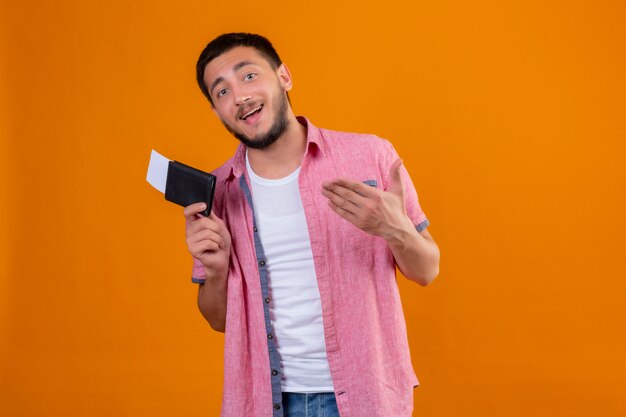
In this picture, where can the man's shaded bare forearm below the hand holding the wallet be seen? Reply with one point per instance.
(212, 299)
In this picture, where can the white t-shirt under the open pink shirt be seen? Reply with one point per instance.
(296, 309)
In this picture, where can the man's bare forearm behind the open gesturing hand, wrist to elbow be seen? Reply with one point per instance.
(416, 255)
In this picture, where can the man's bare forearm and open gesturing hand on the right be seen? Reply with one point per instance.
(382, 213)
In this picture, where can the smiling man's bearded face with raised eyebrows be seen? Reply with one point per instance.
(249, 96)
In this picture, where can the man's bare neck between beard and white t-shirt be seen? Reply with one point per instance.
(284, 156)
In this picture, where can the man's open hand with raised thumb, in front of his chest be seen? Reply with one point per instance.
(374, 211)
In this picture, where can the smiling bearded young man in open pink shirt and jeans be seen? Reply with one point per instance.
(296, 262)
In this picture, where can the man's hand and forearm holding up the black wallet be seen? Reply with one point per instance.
(208, 240)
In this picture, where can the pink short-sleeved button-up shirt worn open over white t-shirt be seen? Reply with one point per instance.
(364, 327)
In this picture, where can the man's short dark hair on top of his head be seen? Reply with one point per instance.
(225, 43)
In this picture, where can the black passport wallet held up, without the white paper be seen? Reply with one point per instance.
(186, 185)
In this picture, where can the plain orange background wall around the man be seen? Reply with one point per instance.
(510, 116)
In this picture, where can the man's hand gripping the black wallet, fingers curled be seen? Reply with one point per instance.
(208, 239)
